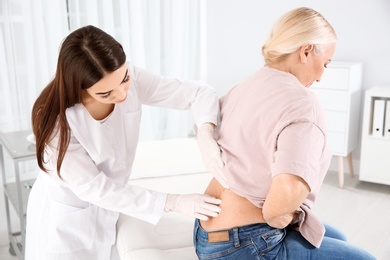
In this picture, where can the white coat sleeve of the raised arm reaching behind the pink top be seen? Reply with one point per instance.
(172, 93)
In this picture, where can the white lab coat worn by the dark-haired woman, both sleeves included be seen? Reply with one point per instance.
(75, 218)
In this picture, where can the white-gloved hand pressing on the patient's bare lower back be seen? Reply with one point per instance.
(193, 205)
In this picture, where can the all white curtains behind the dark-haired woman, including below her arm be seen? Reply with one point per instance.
(162, 36)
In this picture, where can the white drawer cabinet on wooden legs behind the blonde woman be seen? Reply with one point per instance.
(339, 93)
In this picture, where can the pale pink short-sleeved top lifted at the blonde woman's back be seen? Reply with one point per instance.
(272, 124)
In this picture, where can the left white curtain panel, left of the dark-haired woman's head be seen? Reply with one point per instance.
(30, 36)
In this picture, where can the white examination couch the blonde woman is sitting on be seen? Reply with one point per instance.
(173, 166)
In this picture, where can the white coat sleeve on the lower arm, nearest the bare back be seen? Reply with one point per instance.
(80, 174)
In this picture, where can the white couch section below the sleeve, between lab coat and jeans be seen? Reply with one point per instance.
(171, 238)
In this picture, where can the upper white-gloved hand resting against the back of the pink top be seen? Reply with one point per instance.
(211, 154)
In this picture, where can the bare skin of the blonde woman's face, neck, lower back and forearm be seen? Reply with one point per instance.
(287, 191)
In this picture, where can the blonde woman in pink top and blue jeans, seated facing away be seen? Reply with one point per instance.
(273, 142)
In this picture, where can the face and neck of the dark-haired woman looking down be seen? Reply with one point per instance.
(101, 97)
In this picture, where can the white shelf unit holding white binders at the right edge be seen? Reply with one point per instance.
(375, 148)
